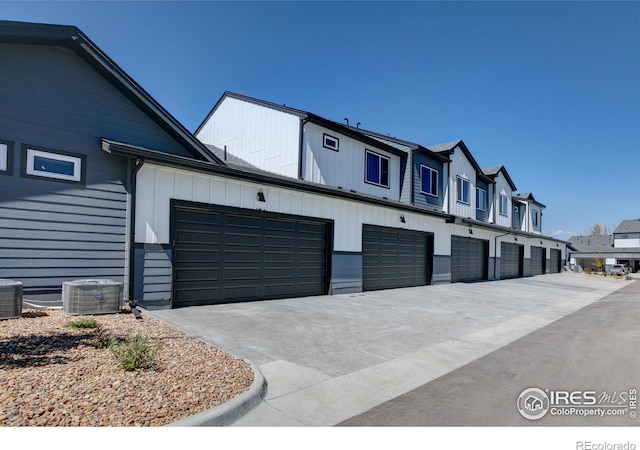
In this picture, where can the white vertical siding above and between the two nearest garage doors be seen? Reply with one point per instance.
(157, 185)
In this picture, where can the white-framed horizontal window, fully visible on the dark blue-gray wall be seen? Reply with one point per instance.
(65, 167)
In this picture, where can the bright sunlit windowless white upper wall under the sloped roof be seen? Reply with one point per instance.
(264, 137)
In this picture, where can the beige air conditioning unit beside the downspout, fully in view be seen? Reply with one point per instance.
(91, 297)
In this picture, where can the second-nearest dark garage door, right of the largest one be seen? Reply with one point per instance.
(393, 258)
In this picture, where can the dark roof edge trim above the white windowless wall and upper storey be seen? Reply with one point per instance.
(345, 130)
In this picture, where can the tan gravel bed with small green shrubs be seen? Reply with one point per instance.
(54, 375)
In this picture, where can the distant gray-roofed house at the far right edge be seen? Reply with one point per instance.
(622, 247)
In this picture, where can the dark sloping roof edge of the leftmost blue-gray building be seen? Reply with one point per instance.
(72, 38)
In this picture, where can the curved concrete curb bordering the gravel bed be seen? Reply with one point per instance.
(229, 412)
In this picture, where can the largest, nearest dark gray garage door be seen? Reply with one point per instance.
(226, 255)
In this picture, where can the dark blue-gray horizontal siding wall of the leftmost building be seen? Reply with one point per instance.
(52, 231)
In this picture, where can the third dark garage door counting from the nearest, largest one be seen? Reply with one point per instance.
(469, 259)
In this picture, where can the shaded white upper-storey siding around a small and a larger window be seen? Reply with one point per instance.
(346, 167)
